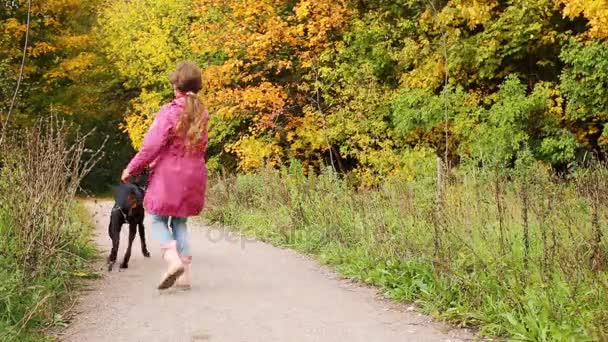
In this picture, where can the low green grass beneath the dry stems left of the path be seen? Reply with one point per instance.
(33, 304)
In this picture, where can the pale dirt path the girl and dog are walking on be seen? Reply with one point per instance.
(243, 291)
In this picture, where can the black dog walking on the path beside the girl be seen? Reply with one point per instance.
(128, 208)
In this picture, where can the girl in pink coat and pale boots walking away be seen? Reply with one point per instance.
(175, 146)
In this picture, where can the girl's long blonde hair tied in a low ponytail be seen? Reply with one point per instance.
(192, 123)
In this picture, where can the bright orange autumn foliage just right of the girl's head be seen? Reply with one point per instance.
(269, 45)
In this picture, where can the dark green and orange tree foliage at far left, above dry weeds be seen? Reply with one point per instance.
(65, 75)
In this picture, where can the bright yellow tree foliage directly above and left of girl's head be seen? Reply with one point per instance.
(143, 40)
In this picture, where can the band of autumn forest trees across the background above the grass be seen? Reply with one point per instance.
(370, 86)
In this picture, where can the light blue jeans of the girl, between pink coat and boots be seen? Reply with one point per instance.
(166, 229)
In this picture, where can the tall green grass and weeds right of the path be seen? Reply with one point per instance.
(518, 253)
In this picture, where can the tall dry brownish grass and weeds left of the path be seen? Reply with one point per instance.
(44, 236)
